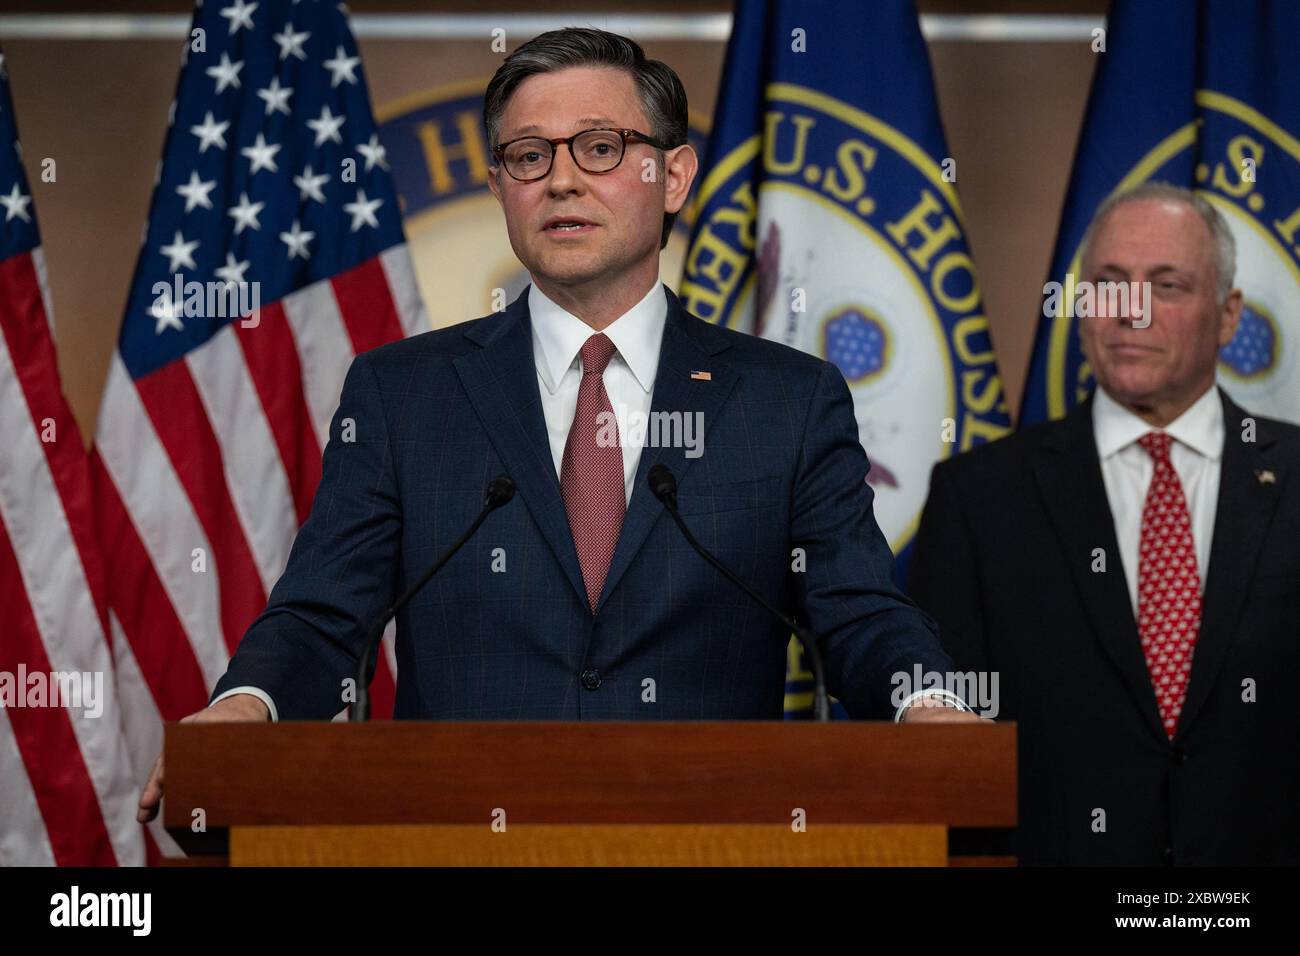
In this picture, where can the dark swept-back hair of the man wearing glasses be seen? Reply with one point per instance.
(664, 100)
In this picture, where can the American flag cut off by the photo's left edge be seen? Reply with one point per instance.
(67, 789)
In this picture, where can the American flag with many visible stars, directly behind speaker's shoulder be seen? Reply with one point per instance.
(274, 188)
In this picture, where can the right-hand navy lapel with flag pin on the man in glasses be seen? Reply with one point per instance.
(688, 347)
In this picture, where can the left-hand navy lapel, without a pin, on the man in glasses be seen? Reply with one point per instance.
(501, 382)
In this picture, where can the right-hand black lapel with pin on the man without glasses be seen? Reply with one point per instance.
(1242, 518)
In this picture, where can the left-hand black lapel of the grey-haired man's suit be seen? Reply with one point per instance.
(1069, 474)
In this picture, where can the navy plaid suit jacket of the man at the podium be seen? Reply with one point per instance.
(505, 630)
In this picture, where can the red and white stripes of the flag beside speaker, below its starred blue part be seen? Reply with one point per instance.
(213, 464)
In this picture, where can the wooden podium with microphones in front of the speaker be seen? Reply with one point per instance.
(644, 794)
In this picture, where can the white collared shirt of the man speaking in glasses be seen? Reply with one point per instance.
(558, 339)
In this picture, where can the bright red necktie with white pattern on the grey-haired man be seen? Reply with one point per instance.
(1169, 587)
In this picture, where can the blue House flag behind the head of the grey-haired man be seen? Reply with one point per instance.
(1204, 96)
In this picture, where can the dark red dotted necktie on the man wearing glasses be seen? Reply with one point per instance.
(592, 471)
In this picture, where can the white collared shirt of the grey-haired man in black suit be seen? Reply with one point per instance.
(1197, 455)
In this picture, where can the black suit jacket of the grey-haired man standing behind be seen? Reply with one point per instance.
(1004, 561)
